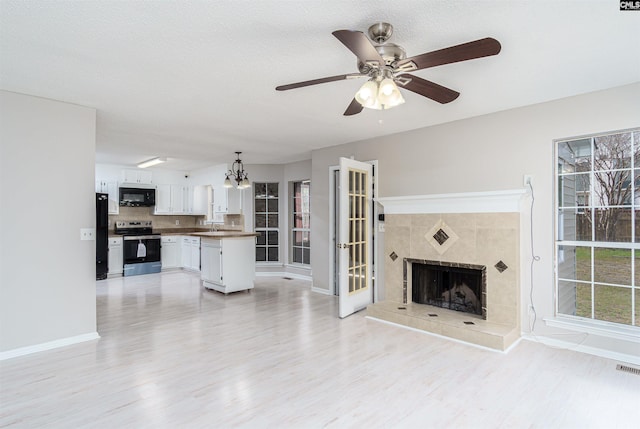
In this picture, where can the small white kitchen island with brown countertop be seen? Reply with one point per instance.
(227, 260)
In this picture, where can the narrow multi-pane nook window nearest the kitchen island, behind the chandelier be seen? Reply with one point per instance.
(265, 204)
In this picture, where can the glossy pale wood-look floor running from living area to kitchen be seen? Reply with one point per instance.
(173, 355)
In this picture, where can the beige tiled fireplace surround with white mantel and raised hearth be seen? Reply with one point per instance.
(482, 229)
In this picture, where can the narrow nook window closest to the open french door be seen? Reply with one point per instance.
(300, 223)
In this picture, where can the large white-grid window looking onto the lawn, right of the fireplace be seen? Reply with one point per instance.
(598, 227)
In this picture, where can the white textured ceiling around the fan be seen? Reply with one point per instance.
(194, 80)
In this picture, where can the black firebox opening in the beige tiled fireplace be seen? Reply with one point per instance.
(454, 286)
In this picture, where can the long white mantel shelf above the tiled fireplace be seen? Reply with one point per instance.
(506, 201)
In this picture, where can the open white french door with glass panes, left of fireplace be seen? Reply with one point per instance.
(354, 247)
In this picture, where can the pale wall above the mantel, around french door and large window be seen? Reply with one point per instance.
(485, 153)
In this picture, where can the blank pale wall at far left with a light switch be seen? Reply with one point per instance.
(47, 275)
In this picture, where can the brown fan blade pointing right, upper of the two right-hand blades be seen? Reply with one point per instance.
(453, 54)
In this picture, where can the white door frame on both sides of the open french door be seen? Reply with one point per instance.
(333, 286)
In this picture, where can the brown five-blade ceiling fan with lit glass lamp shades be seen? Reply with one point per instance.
(387, 66)
